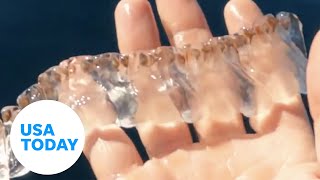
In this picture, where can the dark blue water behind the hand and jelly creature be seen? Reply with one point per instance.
(35, 35)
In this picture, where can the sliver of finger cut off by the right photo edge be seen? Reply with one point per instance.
(313, 72)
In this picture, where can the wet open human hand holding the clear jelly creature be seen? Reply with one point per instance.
(285, 151)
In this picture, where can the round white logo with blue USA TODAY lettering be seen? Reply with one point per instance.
(47, 137)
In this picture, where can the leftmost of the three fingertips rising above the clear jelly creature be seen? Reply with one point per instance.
(136, 26)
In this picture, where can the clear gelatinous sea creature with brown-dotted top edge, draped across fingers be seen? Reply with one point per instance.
(222, 77)
